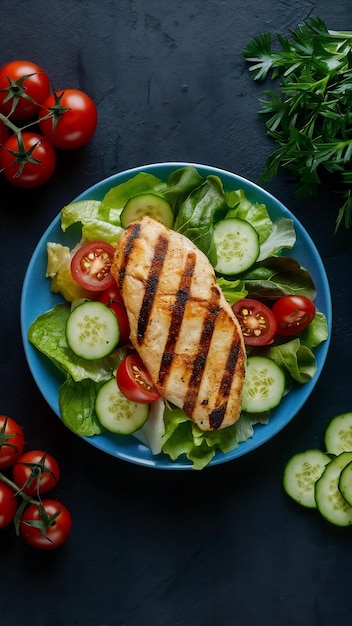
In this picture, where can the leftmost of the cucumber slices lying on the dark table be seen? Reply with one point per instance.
(301, 473)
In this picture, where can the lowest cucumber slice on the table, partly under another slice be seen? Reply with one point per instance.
(330, 502)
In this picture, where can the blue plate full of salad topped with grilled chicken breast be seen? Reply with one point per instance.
(81, 335)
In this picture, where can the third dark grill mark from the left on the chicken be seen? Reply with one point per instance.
(178, 309)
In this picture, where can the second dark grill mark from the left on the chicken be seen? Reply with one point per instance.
(151, 286)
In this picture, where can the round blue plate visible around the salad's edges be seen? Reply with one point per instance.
(37, 298)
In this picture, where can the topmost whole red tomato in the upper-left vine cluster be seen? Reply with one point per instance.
(23, 87)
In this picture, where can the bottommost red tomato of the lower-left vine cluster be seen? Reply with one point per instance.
(55, 521)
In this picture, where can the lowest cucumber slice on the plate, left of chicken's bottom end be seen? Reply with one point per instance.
(118, 414)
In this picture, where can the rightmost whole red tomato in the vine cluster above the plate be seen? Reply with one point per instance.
(74, 119)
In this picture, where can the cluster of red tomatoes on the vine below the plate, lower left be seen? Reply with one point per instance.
(43, 523)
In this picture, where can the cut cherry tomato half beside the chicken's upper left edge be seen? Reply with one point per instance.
(90, 266)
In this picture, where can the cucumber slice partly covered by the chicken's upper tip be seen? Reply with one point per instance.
(147, 204)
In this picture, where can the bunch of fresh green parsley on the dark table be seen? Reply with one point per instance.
(310, 115)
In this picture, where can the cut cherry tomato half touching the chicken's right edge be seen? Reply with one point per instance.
(257, 322)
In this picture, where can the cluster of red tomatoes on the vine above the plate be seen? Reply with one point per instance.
(35, 120)
